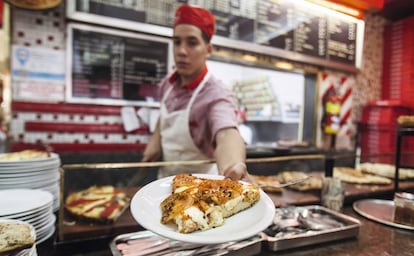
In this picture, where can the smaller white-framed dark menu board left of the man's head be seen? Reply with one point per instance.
(116, 66)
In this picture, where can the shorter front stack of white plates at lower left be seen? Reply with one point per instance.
(33, 206)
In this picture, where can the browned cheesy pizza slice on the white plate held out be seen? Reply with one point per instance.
(200, 204)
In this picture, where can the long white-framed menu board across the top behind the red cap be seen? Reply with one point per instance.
(298, 27)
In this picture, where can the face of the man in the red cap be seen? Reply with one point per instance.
(190, 51)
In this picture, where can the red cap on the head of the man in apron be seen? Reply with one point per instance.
(196, 16)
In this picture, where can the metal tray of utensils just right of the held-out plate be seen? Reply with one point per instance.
(306, 225)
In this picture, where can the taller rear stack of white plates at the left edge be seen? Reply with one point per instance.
(42, 173)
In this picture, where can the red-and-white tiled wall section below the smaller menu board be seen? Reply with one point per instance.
(71, 127)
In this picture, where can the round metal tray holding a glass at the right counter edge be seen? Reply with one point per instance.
(378, 210)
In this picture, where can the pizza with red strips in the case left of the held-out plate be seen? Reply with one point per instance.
(100, 203)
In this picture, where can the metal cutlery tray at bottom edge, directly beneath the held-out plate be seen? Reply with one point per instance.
(149, 243)
